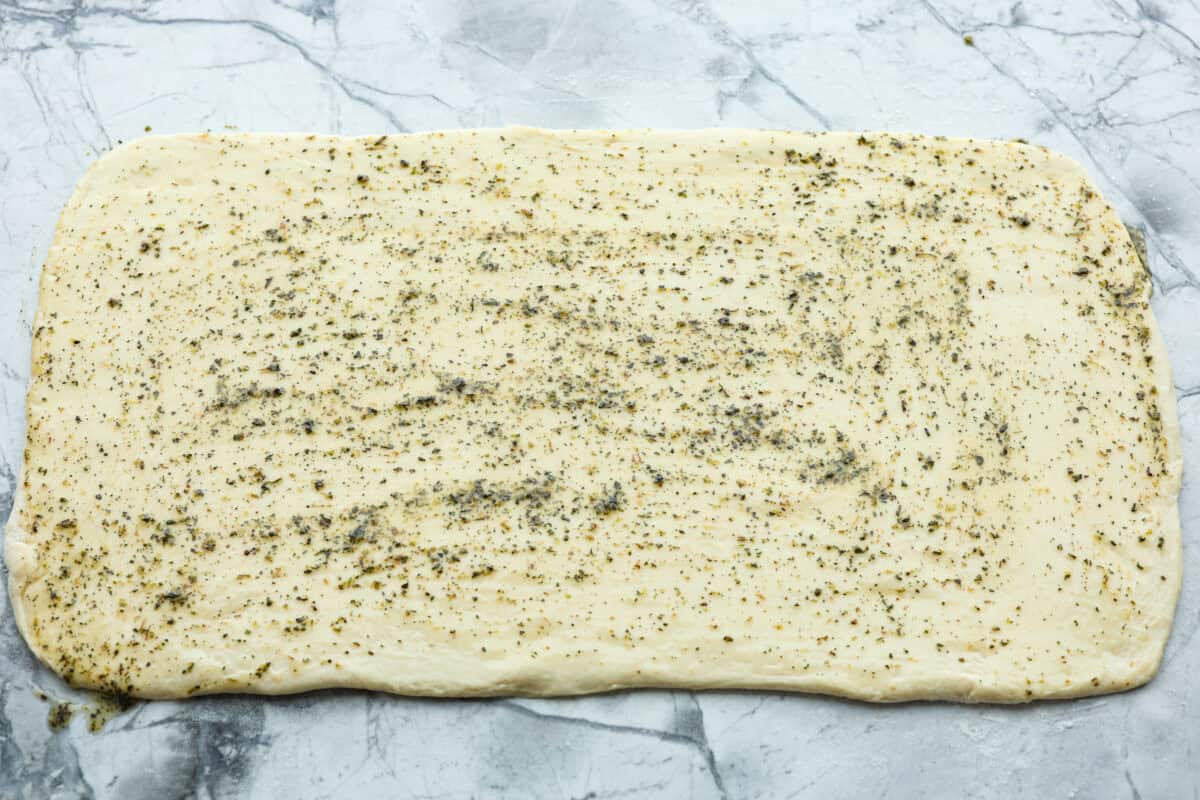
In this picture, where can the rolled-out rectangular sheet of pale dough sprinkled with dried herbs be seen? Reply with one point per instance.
(545, 413)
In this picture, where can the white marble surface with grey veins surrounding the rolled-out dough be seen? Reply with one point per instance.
(1114, 83)
